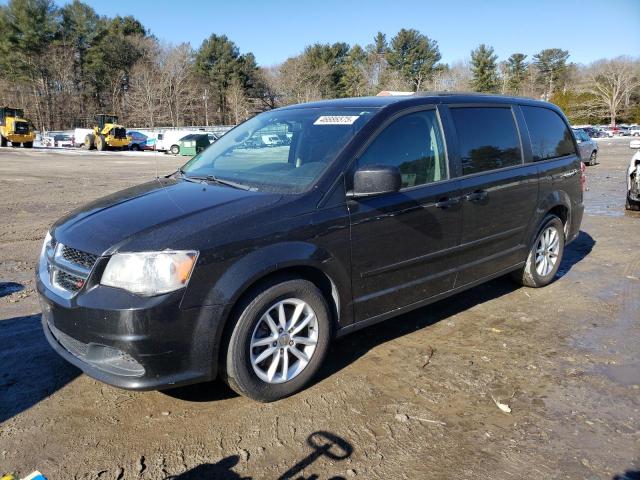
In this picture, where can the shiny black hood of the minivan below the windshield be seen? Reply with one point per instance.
(105, 225)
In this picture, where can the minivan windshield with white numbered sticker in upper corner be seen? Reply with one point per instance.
(282, 151)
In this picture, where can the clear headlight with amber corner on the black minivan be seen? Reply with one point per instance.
(149, 273)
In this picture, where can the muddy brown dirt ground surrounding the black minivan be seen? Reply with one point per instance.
(415, 397)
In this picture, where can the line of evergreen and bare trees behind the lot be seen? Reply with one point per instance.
(65, 64)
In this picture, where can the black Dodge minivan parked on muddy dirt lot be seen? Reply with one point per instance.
(247, 261)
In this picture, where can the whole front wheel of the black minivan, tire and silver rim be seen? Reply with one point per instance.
(279, 340)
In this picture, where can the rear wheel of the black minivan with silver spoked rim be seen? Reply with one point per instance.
(544, 256)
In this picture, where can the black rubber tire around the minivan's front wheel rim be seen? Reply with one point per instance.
(237, 369)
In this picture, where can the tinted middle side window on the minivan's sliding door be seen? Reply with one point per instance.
(487, 138)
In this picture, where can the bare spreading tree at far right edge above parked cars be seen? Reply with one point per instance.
(610, 83)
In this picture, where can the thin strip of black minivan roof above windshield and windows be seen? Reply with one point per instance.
(417, 98)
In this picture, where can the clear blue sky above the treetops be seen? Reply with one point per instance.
(274, 30)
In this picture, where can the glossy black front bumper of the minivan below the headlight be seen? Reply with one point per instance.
(132, 342)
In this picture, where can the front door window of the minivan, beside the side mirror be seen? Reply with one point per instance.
(414, 144)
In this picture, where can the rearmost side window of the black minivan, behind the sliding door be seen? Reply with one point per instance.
(550, 136)
